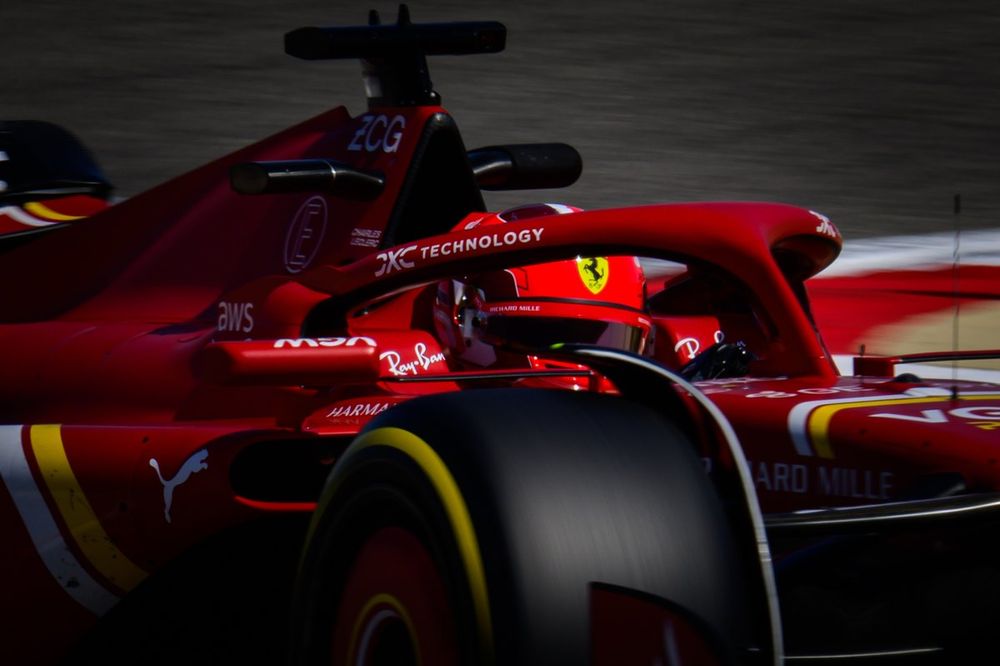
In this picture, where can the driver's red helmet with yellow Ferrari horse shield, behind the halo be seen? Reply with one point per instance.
(489, 319)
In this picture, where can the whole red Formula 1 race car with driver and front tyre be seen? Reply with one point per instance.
(312, 402)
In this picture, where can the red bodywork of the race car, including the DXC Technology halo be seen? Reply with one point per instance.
(150, 347)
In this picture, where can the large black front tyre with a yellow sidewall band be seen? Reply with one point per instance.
(515, 505)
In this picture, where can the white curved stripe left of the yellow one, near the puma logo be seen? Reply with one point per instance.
(48, 541)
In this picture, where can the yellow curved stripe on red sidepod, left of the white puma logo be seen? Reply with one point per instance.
(77, 514)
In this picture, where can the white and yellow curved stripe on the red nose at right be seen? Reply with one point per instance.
(809, 422)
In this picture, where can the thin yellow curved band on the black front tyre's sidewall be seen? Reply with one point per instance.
(454, 504)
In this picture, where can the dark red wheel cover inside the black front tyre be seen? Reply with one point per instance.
(394, 609)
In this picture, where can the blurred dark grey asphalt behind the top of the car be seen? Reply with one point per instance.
(874, 112)
